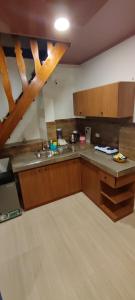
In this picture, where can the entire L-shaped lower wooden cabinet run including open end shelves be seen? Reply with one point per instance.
(115, 196)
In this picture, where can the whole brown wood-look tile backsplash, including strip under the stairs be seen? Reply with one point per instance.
(113, 132)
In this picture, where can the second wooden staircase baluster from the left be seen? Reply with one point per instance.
(21, 64)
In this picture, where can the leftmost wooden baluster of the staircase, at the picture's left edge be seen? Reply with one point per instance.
(5, 80)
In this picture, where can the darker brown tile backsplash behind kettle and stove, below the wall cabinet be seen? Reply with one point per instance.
(108, 129)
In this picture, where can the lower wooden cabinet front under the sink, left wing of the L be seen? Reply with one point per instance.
(44, 184)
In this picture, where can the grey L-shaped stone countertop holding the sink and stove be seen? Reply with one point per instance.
(103, 161)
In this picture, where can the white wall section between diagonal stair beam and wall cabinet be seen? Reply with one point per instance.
(58, 93)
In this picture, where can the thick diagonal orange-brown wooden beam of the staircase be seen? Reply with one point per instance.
(32, 91)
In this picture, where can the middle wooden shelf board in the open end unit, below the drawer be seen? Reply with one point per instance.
(119, 197)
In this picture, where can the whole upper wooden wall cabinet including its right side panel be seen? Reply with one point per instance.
(112, 100)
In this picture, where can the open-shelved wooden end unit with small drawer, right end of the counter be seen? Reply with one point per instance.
(117, 195)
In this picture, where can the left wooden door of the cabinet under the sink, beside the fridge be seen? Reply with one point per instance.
(35, 187)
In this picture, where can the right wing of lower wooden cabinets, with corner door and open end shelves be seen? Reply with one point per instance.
(115, 196)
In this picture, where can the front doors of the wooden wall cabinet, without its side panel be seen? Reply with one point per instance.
(97, 102)
